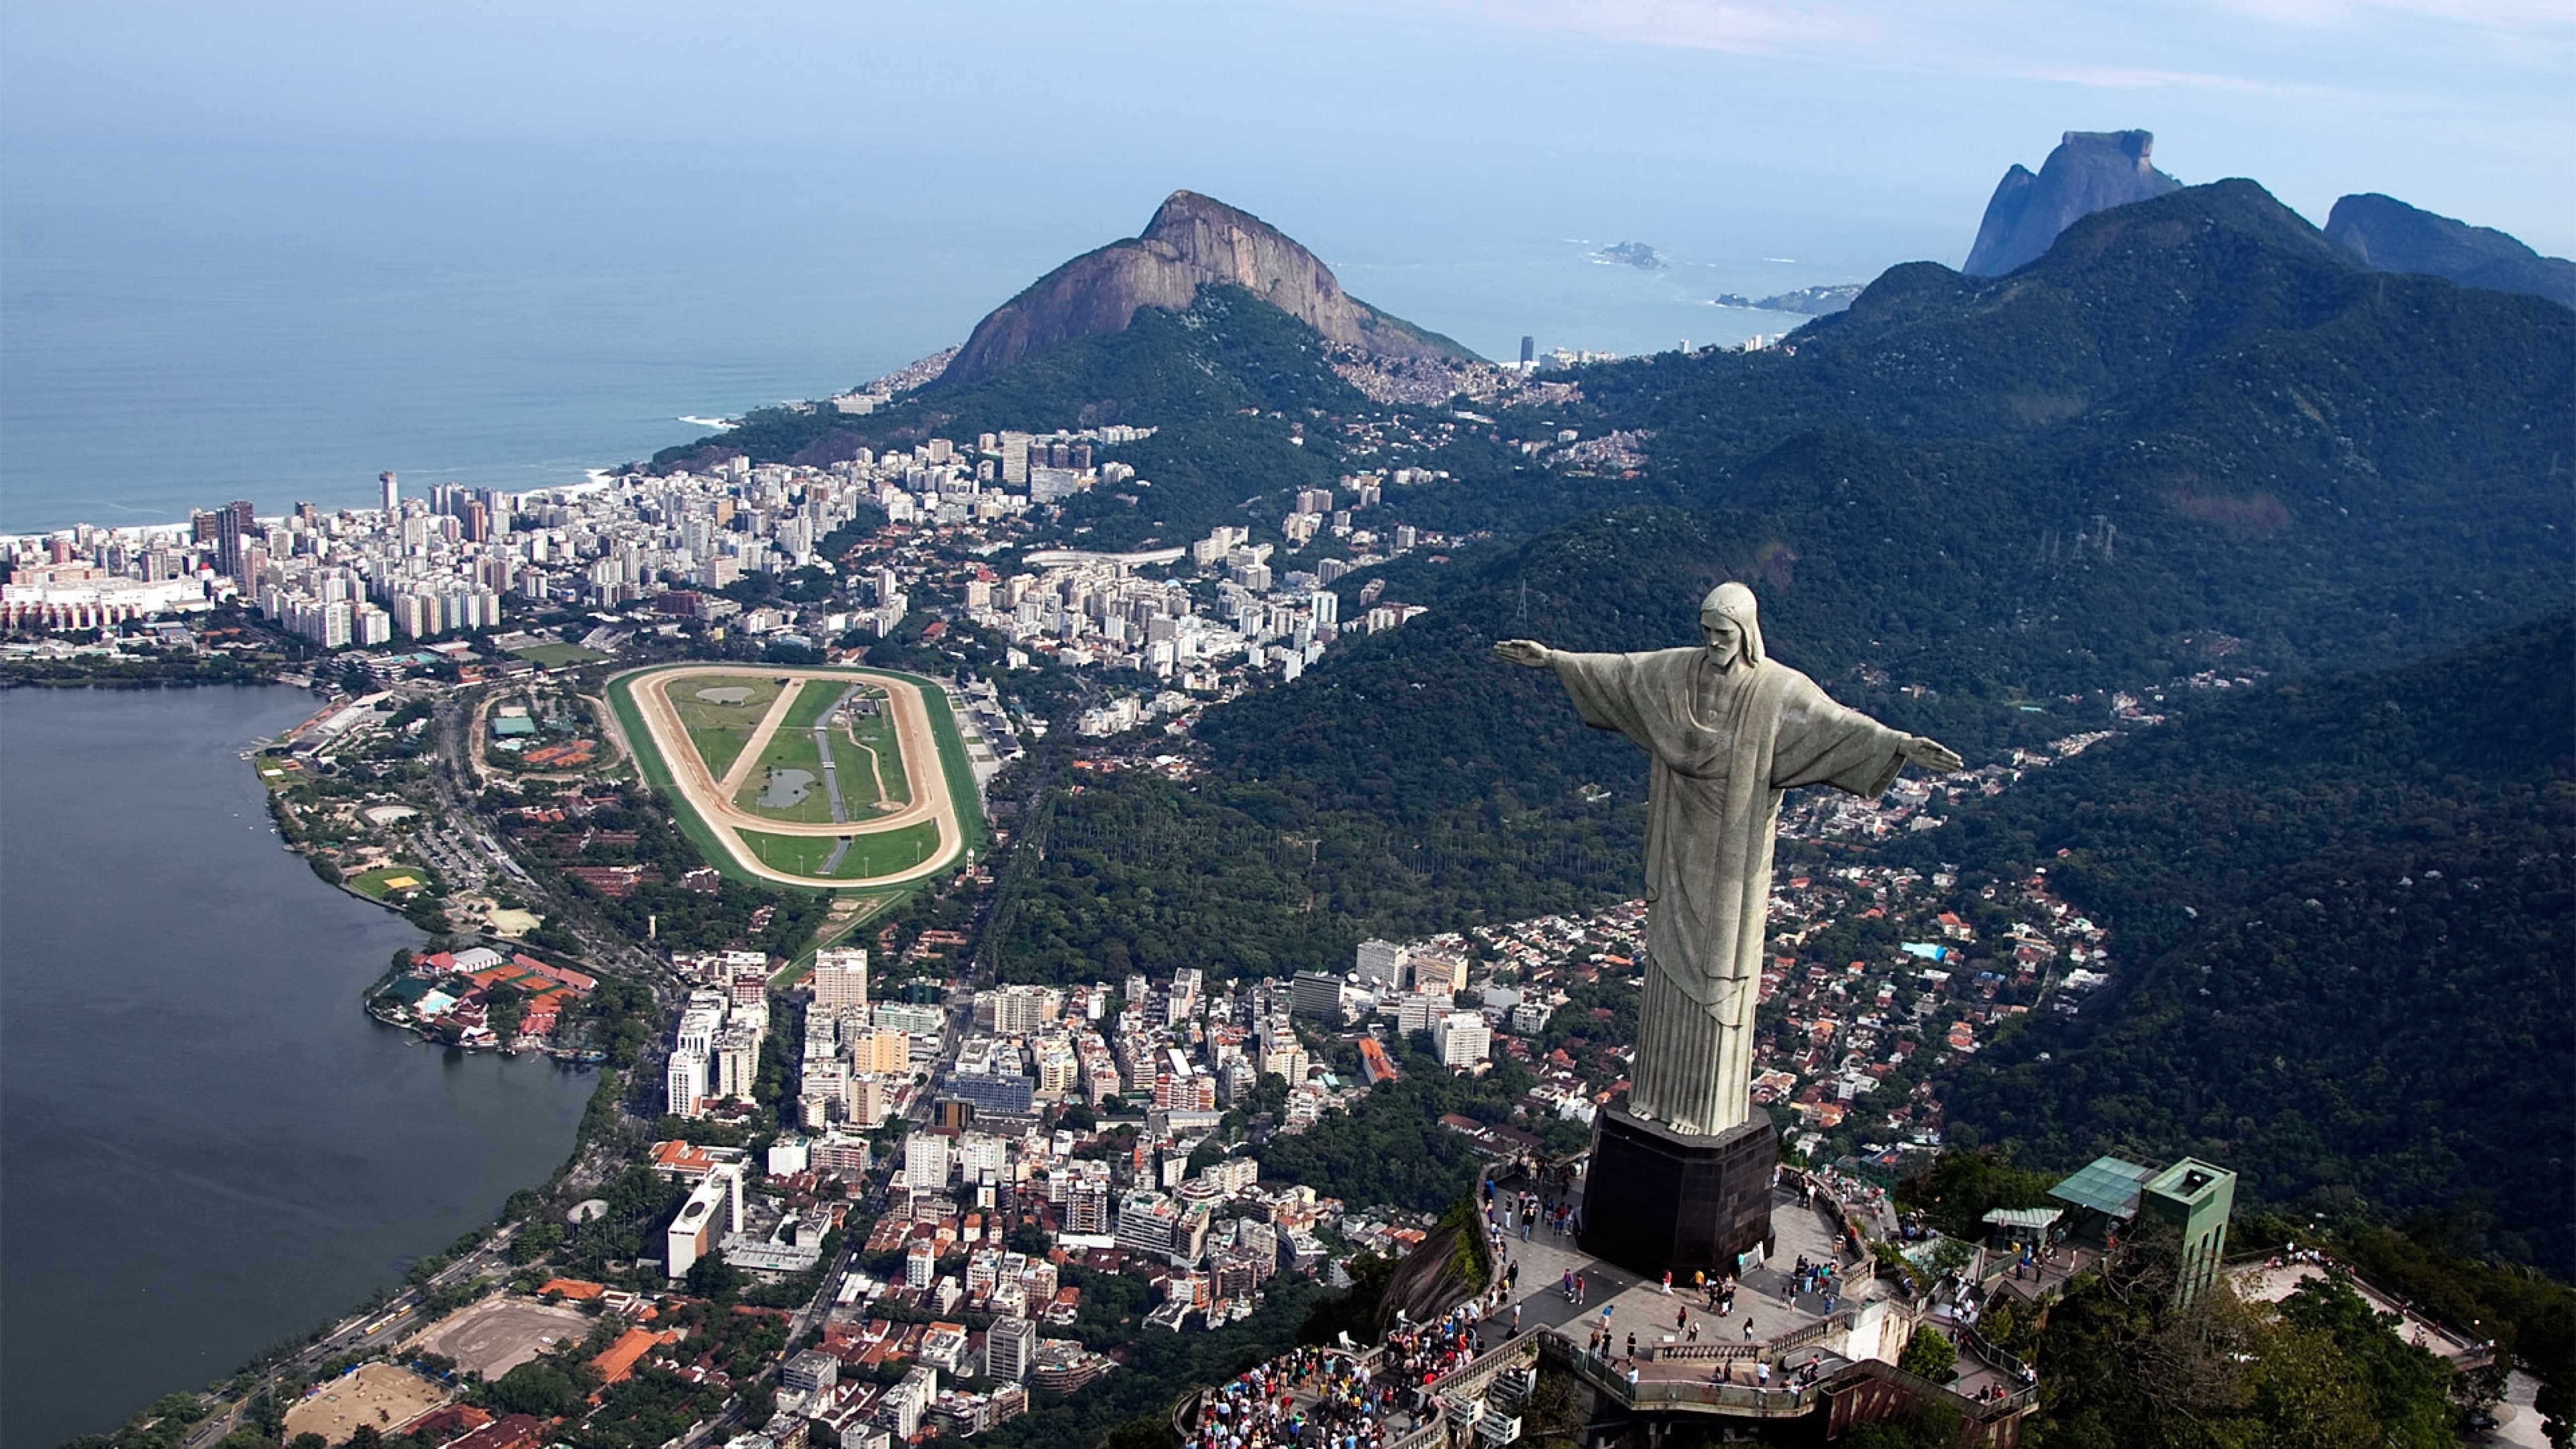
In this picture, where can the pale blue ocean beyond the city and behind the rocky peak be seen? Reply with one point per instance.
(179, 331)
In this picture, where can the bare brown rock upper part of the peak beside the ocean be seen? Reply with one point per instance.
(1191, 244)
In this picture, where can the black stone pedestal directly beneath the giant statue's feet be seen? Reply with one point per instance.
(1660, 1200)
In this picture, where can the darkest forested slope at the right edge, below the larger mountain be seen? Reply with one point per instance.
(2345, 911)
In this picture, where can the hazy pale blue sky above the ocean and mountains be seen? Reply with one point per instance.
(1892, 115)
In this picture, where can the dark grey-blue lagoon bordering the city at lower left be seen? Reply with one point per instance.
(205, 1143)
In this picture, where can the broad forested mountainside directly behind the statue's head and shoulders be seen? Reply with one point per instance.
(2394, 440)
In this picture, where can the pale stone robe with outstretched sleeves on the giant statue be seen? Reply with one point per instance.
(1725, 746)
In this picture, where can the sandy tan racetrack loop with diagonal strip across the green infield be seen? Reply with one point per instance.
(712, 801)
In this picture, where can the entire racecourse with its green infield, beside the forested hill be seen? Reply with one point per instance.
(735, 746)
